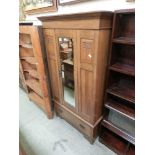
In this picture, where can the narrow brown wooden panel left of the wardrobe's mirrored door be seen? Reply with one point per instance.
(52, 63)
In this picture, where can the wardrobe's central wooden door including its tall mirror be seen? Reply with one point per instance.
(67, 65)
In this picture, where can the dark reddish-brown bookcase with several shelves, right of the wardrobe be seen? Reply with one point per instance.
(117, 130)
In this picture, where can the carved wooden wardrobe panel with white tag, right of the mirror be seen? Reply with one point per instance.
(87, 46)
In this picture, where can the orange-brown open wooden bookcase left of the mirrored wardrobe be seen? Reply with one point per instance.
(33, 67)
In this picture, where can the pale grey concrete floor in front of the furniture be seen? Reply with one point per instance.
(41, 136)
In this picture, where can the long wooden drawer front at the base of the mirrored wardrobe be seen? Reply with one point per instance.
(73, 120)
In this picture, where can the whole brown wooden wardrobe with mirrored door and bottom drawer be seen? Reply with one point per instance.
(77, 48)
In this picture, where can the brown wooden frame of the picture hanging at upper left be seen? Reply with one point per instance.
(44, 9)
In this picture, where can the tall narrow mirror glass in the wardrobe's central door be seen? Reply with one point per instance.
(67, 69)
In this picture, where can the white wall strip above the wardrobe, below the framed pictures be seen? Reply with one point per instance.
(95, 5)
